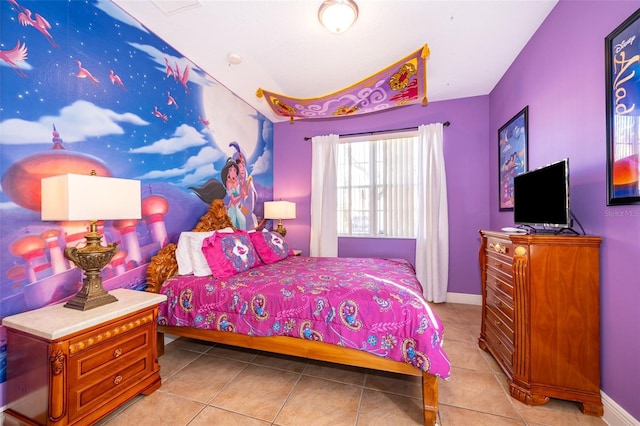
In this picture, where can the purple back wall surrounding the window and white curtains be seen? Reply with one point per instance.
(466, 158)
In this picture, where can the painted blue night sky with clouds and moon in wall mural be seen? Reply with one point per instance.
(129, 73)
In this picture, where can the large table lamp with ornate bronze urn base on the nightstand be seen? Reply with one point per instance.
(91, 198)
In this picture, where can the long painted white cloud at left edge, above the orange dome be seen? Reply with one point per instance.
(75, 122)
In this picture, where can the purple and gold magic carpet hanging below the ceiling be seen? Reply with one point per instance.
(402, 83)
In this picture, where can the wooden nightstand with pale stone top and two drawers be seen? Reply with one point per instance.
(66, 366)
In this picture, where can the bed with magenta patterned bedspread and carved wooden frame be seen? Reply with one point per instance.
(316, 308)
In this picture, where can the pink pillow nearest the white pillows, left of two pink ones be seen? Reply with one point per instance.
(229, 254)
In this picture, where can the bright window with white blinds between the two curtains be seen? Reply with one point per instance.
(377, 185)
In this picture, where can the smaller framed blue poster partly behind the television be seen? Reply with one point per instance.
(512, 155)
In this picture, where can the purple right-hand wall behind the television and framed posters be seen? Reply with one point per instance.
(560, 75)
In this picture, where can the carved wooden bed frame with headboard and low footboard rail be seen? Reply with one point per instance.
(164, 265)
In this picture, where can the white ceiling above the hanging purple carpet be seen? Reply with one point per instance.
(284, 48)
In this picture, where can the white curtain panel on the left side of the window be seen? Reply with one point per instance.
(324, 198)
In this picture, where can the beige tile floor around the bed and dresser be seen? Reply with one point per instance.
(205, 384)
